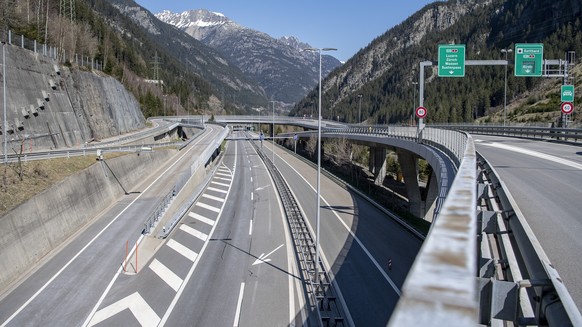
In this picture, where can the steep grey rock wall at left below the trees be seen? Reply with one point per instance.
(52, 106)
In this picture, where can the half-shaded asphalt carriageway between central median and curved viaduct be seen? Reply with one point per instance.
(357, 242)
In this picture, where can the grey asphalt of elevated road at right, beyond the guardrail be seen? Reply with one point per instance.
(545, 178)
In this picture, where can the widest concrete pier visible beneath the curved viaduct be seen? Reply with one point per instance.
(409, 166)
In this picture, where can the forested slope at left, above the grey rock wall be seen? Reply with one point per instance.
(99, 30)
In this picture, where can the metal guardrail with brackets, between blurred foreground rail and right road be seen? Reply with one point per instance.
(547, 302)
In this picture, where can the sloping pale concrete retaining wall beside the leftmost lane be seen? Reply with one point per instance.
(33, 229)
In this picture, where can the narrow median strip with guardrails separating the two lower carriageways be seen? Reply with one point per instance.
(325, 306)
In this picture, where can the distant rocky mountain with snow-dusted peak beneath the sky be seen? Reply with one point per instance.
(279, 66)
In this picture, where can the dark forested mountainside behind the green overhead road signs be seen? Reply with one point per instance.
(485, 27)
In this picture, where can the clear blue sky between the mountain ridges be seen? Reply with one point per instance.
(345, 25)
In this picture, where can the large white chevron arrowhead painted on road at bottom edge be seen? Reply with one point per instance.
(144, 314)
